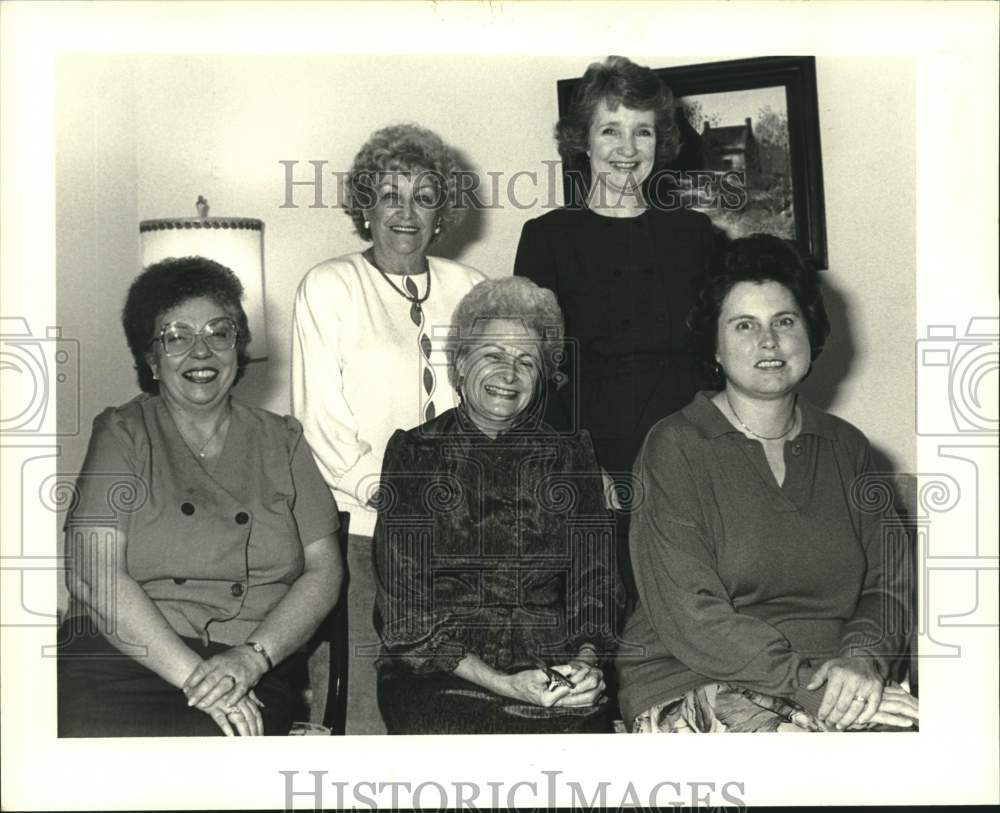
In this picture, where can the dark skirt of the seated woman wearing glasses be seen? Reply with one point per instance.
(102, 693)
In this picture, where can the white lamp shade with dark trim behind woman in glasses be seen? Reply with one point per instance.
(235, 242)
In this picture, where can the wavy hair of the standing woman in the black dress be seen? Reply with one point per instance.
(617, 81)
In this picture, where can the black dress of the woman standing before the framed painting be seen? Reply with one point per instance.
(626, 286)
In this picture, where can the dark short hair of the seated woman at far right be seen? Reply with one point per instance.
(757, 258)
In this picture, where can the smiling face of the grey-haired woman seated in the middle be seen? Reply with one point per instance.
(500, 373)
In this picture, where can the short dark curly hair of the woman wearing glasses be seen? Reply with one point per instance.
(170, 283)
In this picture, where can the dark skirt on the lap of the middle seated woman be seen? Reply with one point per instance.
(446, 704)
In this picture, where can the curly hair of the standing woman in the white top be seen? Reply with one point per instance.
(406, 148)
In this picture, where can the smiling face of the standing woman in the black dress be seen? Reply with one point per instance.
(622, 146)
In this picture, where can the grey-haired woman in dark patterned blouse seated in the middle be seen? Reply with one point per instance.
(497, 596)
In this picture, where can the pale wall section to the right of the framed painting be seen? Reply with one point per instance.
(868, 131)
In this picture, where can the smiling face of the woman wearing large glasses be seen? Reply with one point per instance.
(202, 377)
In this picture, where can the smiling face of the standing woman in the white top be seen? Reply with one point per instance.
(402, 219)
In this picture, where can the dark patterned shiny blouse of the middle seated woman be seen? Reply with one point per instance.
(501, 548)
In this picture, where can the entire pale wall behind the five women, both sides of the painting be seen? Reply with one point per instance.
(142, 137)
